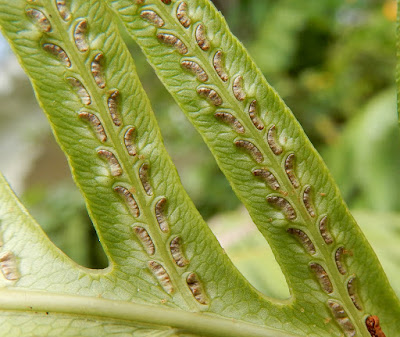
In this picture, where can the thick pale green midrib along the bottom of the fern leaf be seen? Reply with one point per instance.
(32, 302)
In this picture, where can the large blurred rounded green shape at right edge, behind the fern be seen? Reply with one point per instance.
(365, 161)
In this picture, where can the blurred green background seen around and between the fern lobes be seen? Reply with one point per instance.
(333, 62)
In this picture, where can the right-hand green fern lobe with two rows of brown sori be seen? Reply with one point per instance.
(270, 163)
